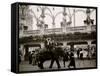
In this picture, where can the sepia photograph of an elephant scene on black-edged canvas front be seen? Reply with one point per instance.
(56, 37)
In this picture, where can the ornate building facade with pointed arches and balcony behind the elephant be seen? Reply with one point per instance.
(66, 35)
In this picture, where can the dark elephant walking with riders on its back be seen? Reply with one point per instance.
(53, 55)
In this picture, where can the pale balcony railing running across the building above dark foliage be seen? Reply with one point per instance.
(60, 30)
